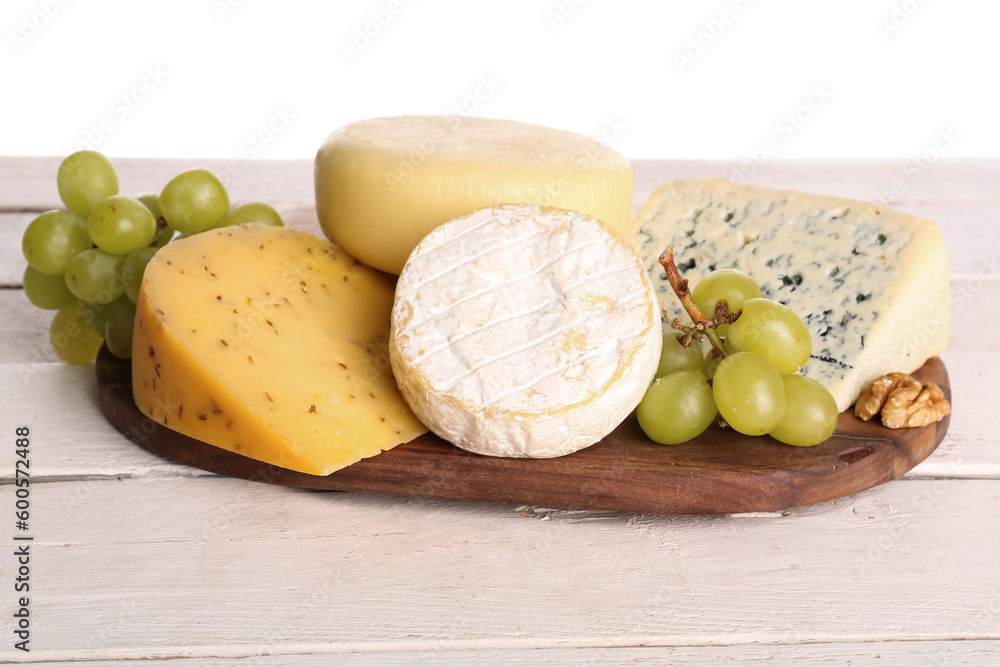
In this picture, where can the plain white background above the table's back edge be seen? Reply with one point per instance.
(718, 79)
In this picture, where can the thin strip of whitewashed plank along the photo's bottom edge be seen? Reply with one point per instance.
(885, 654)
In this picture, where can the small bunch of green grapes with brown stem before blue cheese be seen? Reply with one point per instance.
(753, 387)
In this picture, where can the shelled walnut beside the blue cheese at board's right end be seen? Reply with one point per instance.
(903, 402)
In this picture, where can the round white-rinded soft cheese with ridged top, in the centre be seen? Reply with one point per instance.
(524, 331)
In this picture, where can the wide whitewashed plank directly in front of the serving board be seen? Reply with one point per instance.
(226, 568)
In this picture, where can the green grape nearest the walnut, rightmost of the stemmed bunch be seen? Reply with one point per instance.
(810, 413)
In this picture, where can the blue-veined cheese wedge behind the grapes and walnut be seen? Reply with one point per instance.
(871, 283)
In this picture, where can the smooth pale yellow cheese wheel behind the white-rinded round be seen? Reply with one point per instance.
(383, 184)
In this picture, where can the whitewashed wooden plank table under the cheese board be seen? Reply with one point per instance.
(134, 557)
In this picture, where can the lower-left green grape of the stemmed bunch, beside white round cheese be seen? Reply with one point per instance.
(676, 408)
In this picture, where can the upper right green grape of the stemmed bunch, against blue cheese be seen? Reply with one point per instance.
(773, 330)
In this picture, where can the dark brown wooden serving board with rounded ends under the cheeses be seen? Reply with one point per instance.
(719, 472)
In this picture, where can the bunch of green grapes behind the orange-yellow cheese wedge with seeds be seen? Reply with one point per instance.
(87, 262)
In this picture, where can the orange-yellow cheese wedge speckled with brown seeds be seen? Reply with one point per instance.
(270, 343)
